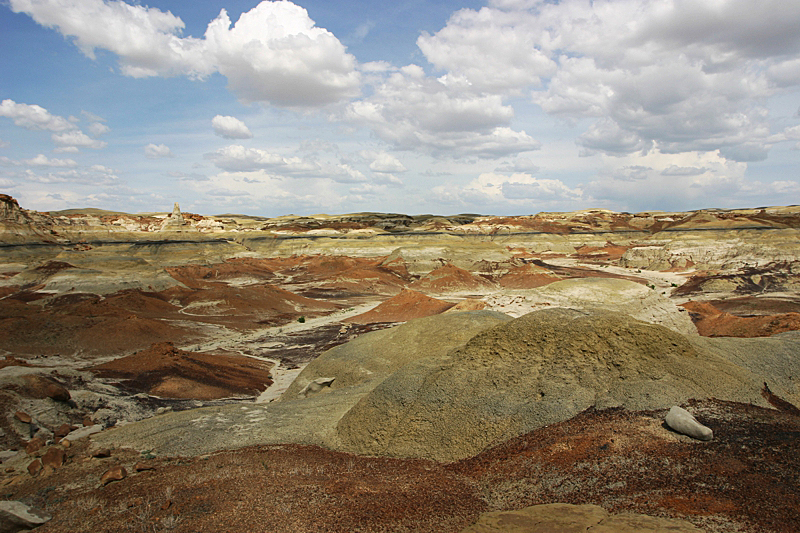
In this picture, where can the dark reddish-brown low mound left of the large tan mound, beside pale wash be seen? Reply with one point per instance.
(166, 371)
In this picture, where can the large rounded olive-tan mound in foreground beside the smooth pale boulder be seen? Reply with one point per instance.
(542, 368)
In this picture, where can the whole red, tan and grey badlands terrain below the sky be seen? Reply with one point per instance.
(380, 372)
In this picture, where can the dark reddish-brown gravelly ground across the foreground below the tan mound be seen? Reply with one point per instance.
(746, 480)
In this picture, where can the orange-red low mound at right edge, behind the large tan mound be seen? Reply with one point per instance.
(711, 322)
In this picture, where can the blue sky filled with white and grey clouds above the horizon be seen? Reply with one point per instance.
(505, 107)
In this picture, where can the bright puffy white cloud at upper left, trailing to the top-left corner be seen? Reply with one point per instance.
(273, 53)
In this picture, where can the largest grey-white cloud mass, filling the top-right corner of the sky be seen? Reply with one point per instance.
(673, 74)
